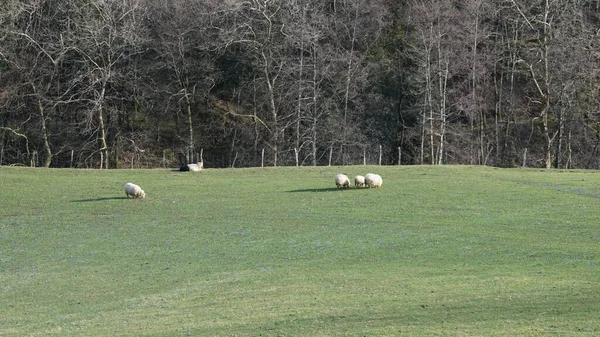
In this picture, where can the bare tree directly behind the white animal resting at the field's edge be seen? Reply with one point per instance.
(183, 46)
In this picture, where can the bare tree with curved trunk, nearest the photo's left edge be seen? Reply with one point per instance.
(38, 62)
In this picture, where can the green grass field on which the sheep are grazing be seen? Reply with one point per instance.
(451, 251)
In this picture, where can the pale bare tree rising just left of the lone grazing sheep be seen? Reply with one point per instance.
(103, 43)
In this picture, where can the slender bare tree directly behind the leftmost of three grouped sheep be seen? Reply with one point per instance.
(356, 29)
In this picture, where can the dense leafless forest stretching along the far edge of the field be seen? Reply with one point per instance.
(232, 83)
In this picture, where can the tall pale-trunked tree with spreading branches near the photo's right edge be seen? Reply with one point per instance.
(548, 50)
